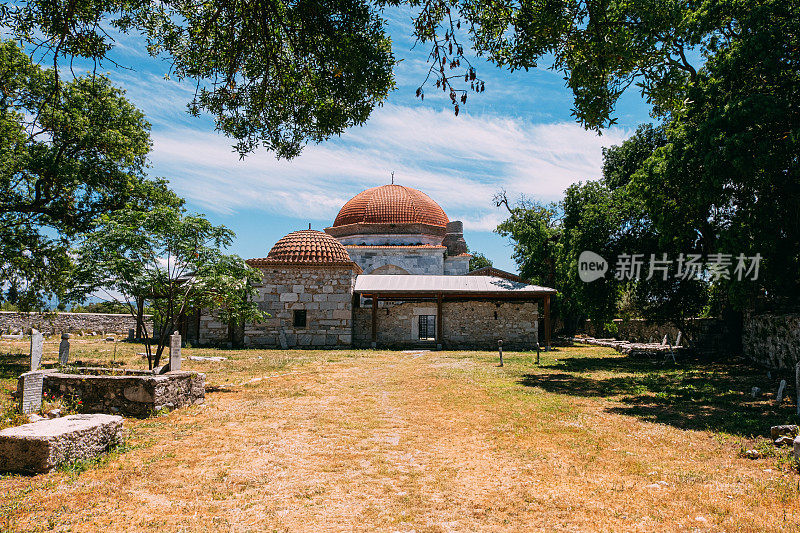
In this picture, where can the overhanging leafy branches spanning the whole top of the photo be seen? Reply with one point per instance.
(279, 74)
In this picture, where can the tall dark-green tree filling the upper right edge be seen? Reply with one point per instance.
(728, 178)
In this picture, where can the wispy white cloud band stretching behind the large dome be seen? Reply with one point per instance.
(461, 162)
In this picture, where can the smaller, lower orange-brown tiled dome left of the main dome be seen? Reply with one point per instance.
(306, 247)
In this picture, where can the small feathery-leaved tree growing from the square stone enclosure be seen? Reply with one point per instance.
(172, 261)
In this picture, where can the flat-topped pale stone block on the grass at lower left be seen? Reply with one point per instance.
(41, 446)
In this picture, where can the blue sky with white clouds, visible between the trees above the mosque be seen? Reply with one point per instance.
(518, 135)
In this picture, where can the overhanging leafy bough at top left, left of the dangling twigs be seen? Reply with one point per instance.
(275, 74)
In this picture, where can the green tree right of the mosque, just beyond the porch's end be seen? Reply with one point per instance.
(609, 218)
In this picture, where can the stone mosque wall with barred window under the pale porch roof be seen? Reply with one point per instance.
(466, 325)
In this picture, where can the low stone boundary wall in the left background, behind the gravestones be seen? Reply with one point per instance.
(57, 322)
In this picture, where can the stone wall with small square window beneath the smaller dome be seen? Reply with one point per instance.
(322, 294)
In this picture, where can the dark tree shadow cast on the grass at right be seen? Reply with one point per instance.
(693, 395)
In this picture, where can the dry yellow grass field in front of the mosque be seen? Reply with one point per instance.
(436, 441)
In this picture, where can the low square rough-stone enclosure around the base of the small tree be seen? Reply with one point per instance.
(134, 393)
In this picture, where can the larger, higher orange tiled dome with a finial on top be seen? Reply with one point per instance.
(391, 204)
